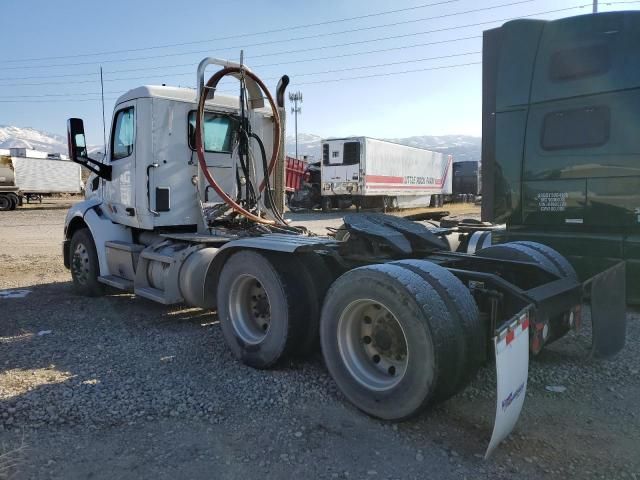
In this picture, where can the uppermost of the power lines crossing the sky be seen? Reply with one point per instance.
(264, 32)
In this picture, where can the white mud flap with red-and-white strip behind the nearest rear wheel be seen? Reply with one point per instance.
(512, 370)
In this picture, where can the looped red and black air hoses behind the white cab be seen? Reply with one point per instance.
(245, 135)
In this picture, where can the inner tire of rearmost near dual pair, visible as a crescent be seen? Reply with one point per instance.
(466, 320)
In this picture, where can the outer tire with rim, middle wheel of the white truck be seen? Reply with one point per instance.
(259, 309)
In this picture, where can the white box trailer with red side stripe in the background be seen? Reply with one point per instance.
(372, 173)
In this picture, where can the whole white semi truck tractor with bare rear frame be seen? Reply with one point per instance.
(181, 211)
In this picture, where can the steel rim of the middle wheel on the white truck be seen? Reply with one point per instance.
(249, 309)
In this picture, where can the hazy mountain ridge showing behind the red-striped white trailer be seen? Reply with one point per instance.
(462, 147)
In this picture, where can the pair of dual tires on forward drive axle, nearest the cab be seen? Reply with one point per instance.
(269, 305)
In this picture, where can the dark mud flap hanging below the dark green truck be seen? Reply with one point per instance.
(608, 311)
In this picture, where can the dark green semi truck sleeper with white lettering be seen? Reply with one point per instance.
(561, 138)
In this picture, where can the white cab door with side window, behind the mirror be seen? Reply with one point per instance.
(120, 192)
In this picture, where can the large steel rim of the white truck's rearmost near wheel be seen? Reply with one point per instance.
(372, 344)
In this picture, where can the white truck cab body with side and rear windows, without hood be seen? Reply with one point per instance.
(151, 154)
